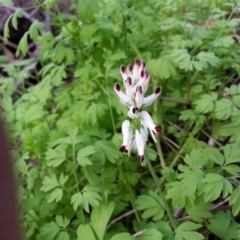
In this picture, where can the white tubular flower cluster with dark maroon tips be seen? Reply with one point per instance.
(136, 80)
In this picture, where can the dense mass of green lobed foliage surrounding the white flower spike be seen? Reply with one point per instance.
(64, 120)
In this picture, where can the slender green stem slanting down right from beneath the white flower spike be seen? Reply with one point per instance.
(161, 195)
